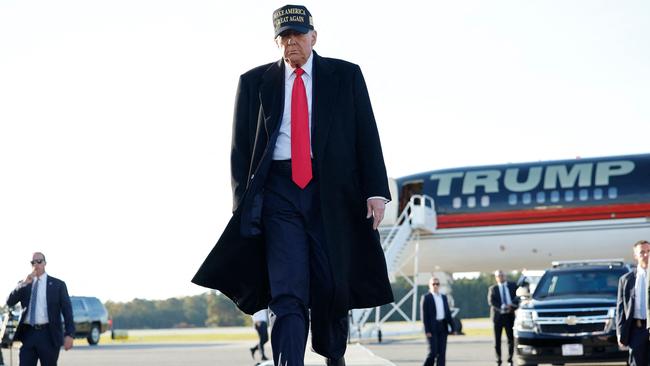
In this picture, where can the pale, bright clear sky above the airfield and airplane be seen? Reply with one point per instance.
(115, 115)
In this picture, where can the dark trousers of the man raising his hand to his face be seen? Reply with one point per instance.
(38, 345)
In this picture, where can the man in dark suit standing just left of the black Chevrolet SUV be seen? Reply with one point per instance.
(503, 303)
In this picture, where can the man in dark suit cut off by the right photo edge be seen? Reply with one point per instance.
(632, 307)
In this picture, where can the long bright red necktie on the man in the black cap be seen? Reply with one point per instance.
(300, 151)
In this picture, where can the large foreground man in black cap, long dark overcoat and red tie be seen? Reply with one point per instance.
(309, 187)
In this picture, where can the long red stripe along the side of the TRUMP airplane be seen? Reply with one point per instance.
(543, 215)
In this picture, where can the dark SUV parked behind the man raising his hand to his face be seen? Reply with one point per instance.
(90, 318)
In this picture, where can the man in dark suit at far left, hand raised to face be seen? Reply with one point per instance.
(43, 299)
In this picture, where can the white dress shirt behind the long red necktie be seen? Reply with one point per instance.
(282, 149)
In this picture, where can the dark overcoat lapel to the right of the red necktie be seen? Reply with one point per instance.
(326, 84)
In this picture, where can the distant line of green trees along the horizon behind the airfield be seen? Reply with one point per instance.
(212, 309)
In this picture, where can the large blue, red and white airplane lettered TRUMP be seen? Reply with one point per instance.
(526, 215)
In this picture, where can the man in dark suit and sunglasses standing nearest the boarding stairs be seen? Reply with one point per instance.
(436, 317)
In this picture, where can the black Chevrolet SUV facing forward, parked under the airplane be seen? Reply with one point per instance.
(571, 315)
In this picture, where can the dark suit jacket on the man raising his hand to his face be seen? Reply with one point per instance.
(58, 303)
